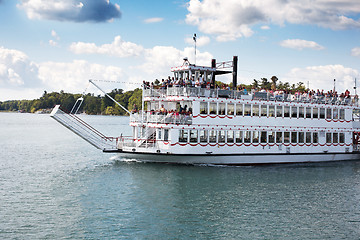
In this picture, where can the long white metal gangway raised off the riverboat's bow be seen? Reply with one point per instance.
(84, 130)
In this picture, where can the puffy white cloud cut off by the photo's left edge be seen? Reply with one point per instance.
(17, 70)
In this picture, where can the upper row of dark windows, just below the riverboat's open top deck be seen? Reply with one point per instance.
(240, 109)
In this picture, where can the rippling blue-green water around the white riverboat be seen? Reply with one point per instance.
(54, 185)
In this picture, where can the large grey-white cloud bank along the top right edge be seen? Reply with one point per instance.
(234, 18)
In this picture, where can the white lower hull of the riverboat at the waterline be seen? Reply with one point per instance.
(241, 159)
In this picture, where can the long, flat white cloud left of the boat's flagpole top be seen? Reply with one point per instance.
(118, 48)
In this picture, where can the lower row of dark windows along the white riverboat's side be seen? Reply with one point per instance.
(223, 136)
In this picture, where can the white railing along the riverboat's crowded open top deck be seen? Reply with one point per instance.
(234, 94)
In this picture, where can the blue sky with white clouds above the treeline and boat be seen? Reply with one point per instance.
(54, 45)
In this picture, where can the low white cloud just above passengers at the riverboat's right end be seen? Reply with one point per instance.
(322, 77)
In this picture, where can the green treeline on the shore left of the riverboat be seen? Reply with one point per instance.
(91, 104)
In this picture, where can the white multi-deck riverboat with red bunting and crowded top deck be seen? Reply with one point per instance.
(188, 120)
